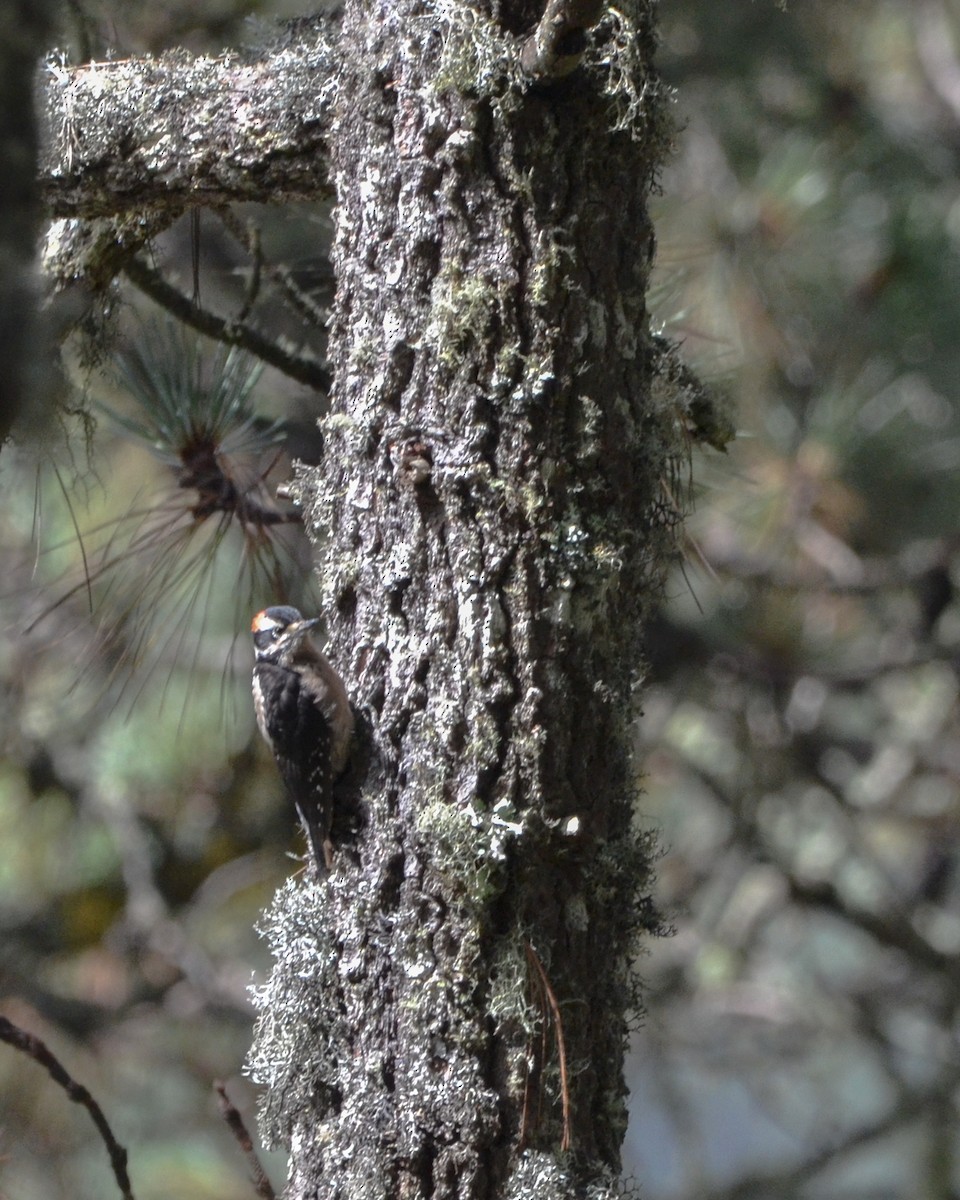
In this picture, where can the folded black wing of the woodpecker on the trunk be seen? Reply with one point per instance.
(299, 737)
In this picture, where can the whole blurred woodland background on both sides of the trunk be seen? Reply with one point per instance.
(801, 740)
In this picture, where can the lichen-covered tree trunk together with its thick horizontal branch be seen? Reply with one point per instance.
(448, 1012)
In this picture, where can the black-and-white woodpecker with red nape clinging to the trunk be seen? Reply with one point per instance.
(305, 718)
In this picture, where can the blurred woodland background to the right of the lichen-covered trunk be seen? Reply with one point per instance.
(801, 741)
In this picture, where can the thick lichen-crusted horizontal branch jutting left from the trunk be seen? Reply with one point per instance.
(181, 131)
